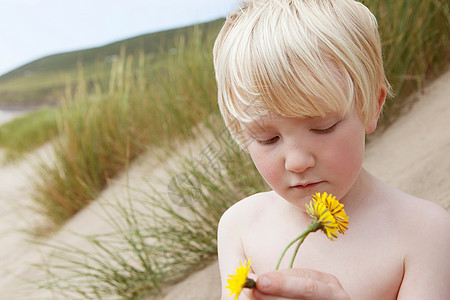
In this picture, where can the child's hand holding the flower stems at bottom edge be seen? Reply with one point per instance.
(298, 284)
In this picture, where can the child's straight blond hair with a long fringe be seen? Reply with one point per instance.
(301, 58)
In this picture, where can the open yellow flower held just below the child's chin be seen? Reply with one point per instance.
(329, 213)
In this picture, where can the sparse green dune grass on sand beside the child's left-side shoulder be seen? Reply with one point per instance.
(158, 240)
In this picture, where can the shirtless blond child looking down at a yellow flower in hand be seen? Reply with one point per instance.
(300, 83)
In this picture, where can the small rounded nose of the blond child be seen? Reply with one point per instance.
(298, 159)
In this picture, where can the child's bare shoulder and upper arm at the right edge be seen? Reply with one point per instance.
(421, 228)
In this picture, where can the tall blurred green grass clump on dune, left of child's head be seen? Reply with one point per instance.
(101, 131)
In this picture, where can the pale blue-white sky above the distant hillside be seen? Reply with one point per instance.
(31, 29)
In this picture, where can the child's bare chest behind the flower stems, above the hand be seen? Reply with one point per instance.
(365, 268)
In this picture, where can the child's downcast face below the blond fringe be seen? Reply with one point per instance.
(301, 156)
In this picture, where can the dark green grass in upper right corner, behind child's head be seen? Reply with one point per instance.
(415, 43)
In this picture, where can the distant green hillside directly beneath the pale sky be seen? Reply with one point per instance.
(43, 81)
